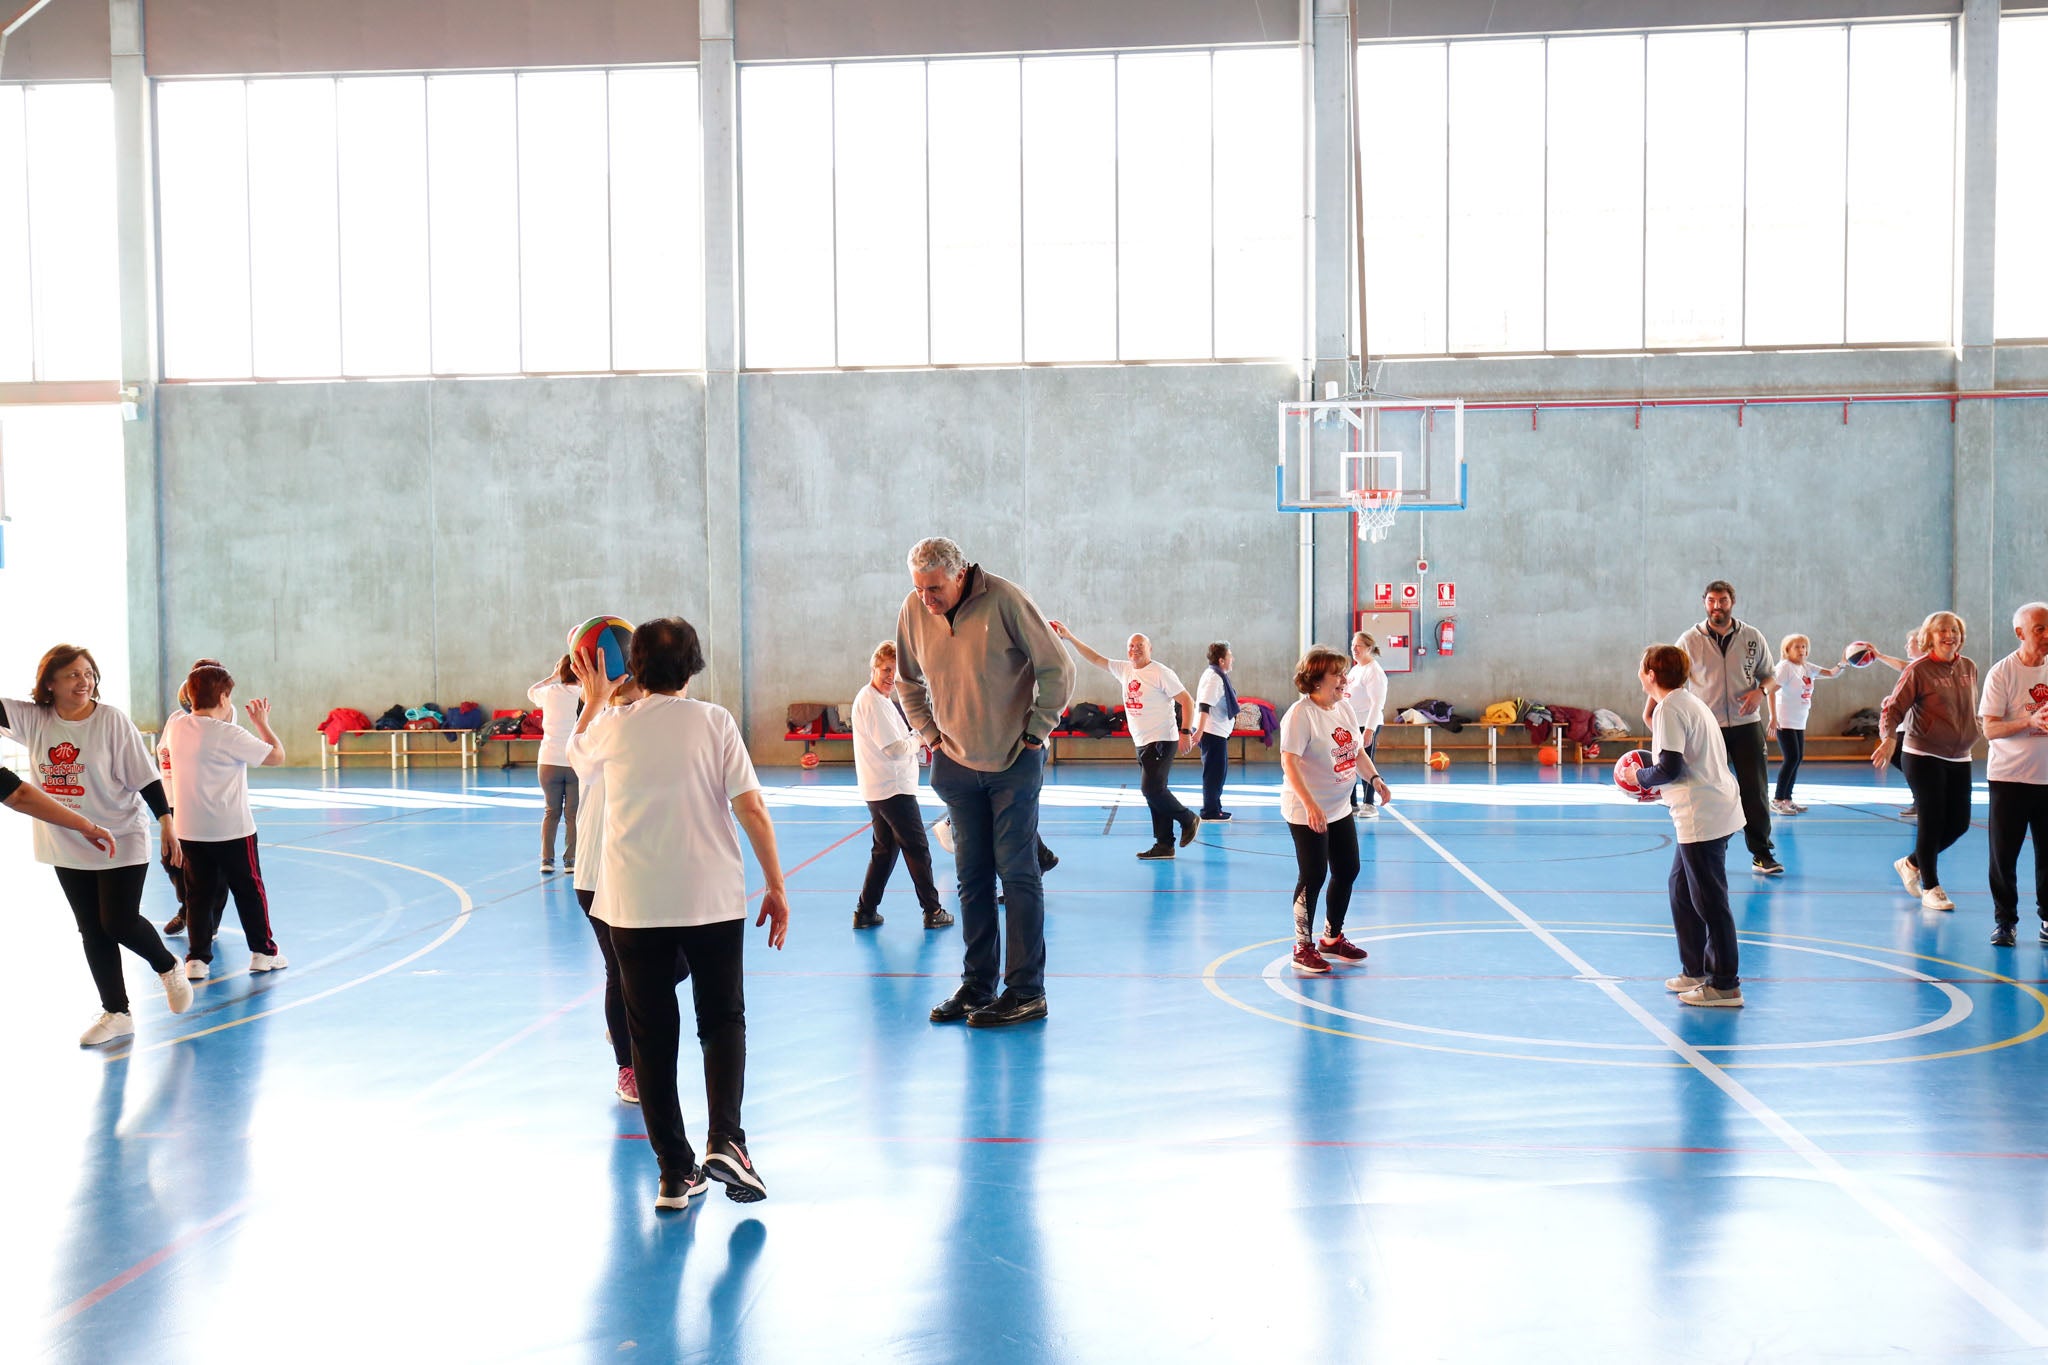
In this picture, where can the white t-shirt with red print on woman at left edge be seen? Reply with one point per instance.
(95, 766)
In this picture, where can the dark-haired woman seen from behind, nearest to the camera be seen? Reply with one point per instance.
(673, 891)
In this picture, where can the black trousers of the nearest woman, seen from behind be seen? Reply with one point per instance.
(648, 965)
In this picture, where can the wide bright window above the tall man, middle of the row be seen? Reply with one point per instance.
(1041, 210)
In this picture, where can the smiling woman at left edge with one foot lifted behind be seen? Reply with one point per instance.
(91, 758)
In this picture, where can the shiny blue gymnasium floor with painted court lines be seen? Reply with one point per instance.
(1498, 1141)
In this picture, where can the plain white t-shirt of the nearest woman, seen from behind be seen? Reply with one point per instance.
(671, 770)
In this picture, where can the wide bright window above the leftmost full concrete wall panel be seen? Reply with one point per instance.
(429, 224)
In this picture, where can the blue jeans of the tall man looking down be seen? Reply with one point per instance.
(996, 832)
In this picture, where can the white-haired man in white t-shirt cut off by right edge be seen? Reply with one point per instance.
(2014, 711)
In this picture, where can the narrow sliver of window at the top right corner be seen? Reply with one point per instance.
(2020, 308)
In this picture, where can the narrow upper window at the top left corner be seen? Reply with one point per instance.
(60, 310)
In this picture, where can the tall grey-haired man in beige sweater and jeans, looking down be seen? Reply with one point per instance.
(984, 682)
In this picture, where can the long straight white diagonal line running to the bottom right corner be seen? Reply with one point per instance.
(1959, 1272)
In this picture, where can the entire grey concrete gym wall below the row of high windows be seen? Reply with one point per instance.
(386, 543)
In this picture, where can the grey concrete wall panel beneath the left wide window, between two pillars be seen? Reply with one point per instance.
(361, 545)
